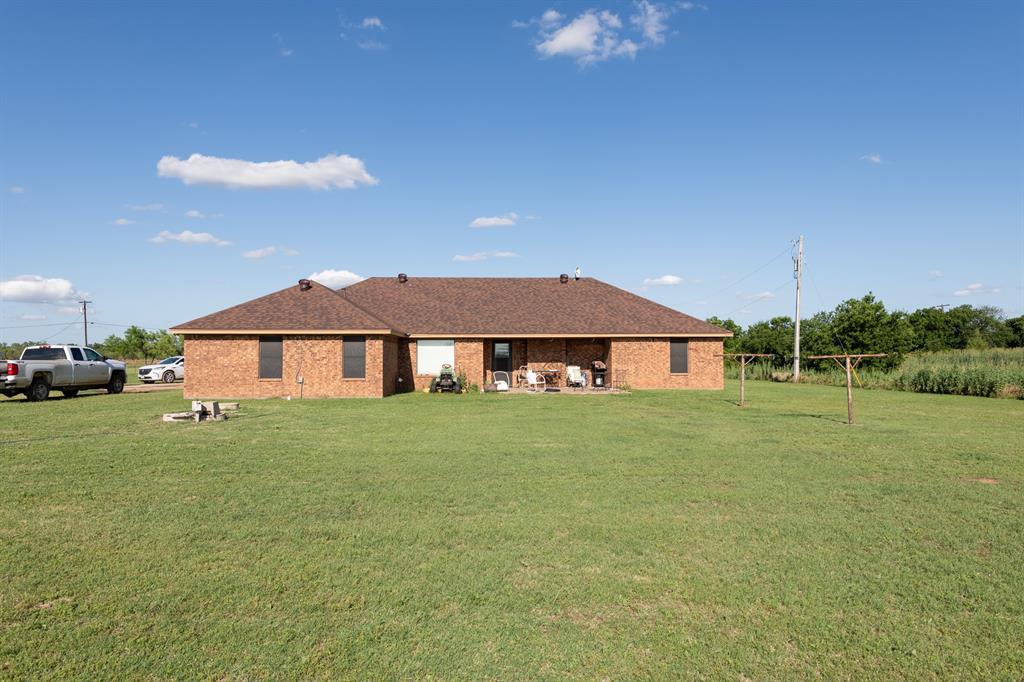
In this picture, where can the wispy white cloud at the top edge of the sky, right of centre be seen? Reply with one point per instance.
(595, 36)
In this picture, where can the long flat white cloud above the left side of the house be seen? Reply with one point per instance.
(330, 172)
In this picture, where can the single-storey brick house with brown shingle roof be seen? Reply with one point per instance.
(386, 335)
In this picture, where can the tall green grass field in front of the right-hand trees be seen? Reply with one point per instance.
(992, 373)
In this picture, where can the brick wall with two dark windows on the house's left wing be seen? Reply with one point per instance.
(229, 367)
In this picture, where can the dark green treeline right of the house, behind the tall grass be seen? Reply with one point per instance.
(864, 326)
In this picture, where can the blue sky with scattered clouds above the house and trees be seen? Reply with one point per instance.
(671, 149)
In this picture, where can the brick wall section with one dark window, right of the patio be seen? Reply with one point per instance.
(646, 362)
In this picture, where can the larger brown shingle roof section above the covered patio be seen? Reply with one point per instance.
(514, 307)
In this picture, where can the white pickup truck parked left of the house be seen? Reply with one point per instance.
(68, 369)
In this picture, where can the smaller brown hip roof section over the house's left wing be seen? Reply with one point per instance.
(318, 309)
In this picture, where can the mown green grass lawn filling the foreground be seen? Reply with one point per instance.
(659, 535)
